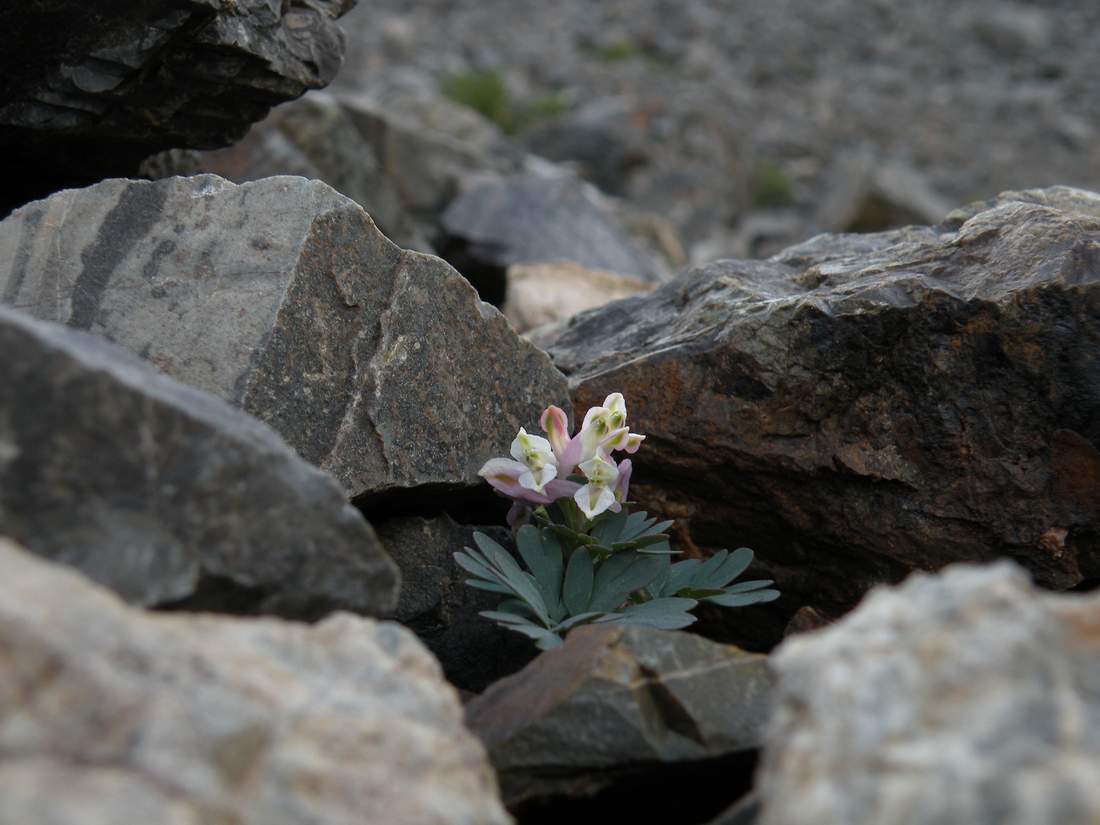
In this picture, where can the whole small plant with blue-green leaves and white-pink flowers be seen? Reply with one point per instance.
(589, 560)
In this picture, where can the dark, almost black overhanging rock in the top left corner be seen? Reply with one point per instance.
(91, 89)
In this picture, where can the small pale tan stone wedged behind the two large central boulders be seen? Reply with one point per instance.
(541, 294)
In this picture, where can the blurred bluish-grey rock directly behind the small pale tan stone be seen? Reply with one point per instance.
(531, 219)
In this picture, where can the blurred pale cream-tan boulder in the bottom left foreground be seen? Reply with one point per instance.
(112, 716)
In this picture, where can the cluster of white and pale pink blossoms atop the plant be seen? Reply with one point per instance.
(579, 467)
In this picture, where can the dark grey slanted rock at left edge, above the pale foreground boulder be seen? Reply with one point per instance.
(167, 494)
